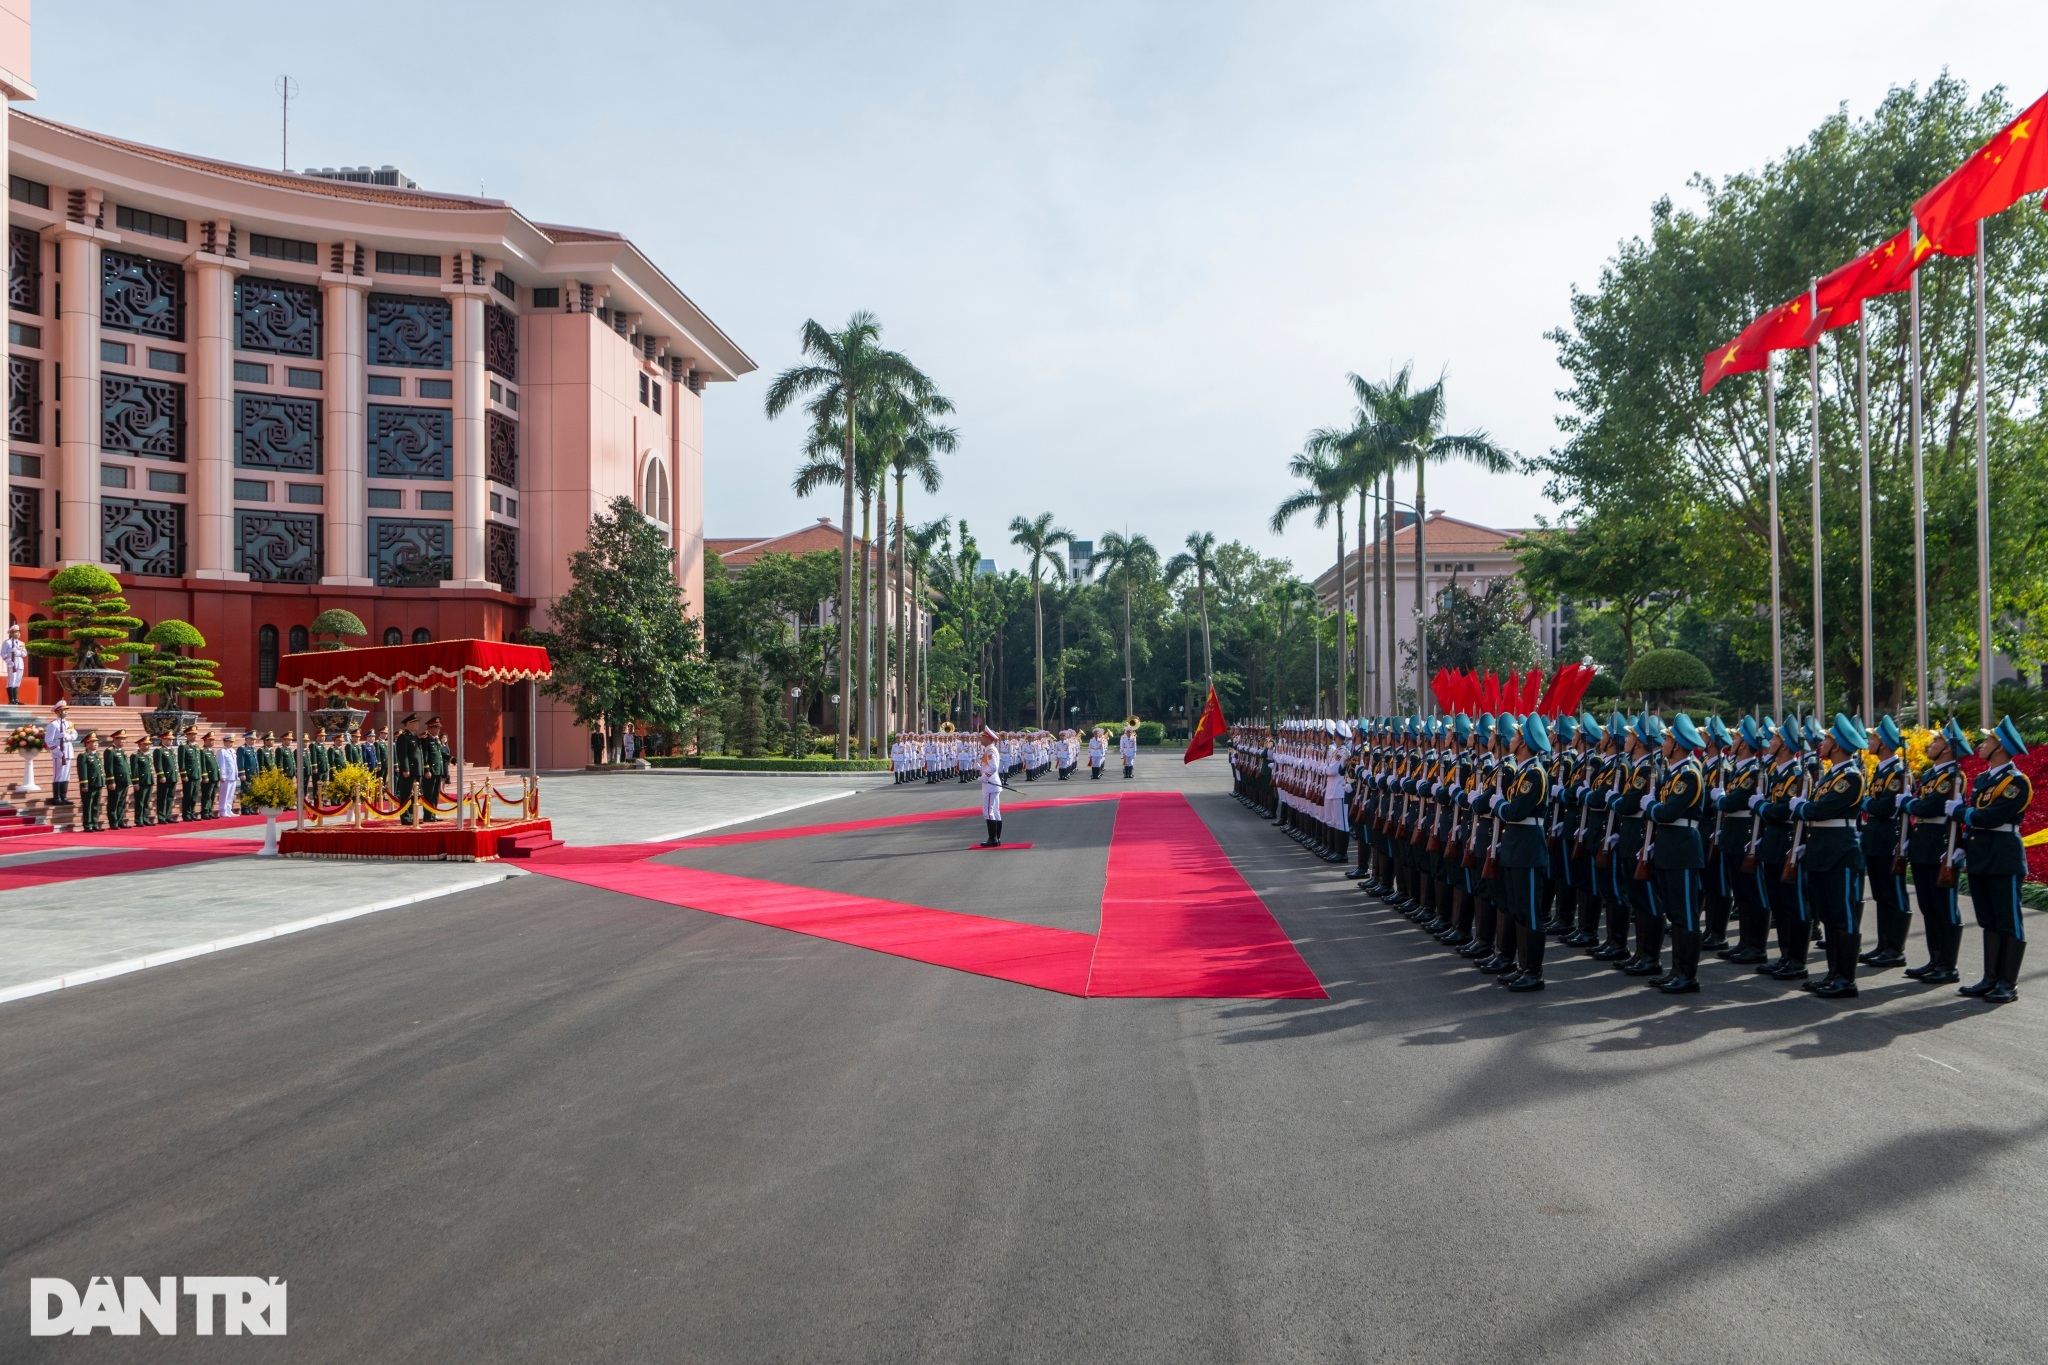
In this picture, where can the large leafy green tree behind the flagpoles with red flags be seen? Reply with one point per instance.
(1641, 435)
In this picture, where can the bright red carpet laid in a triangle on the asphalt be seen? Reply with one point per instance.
(1177, 916)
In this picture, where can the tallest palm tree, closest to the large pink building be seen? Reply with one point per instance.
(845, 367)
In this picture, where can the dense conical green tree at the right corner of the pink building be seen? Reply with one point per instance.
(622, 644)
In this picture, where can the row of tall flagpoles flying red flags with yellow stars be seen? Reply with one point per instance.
(1947, 222)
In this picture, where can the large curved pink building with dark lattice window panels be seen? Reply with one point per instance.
(261, 394)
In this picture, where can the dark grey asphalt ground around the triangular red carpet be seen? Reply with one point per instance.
(554, 1122)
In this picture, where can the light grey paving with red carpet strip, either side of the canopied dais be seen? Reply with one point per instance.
(81, 908)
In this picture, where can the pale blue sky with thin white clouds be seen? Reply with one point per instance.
(1140, 247)
